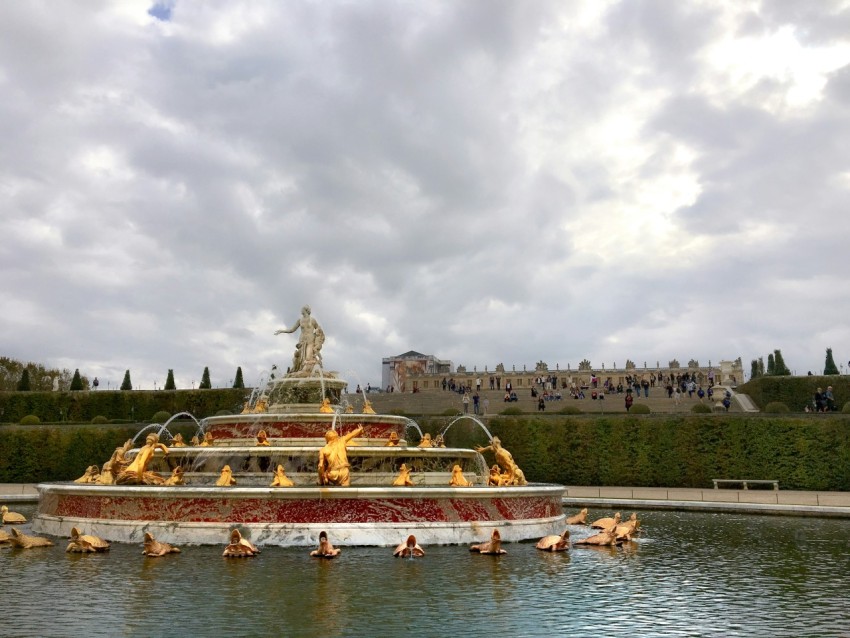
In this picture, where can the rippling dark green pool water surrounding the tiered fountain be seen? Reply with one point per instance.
(690, 574)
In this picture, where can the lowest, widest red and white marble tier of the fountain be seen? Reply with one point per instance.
(295, 516)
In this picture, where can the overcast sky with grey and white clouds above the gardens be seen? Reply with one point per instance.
(485, 181)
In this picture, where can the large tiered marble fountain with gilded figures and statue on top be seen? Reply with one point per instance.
(354, 475)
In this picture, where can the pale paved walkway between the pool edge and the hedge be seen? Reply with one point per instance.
(798, 503)
